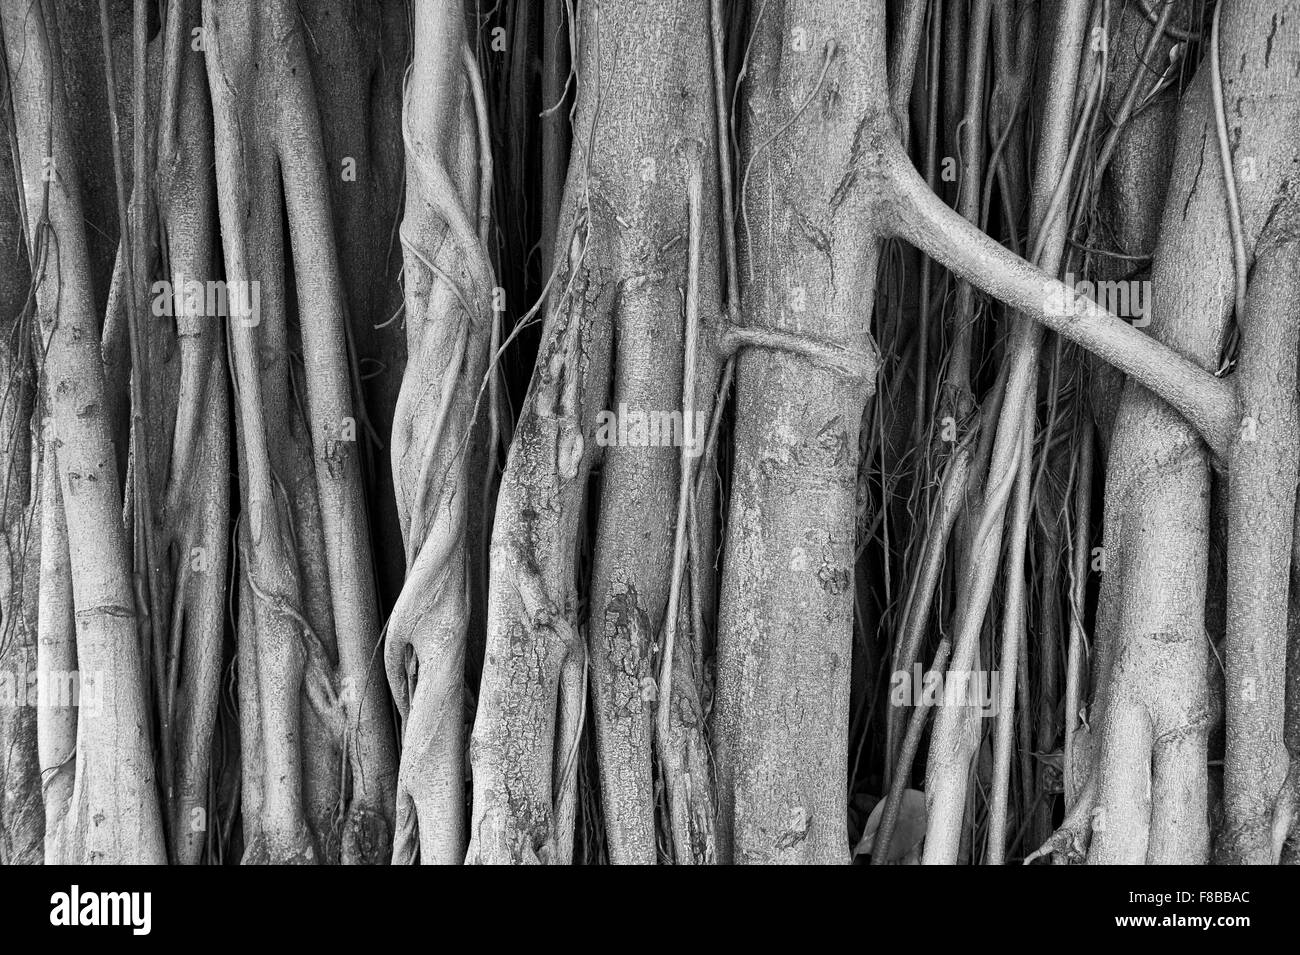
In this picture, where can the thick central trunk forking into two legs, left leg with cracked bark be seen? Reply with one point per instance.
(621, 279)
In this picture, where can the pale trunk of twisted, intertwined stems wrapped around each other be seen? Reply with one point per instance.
(450, 297)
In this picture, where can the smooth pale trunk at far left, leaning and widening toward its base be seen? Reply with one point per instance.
(114, 800)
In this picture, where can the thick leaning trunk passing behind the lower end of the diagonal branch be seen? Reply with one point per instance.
(1152, 766)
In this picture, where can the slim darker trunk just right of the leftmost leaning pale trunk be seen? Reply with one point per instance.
(194, 485)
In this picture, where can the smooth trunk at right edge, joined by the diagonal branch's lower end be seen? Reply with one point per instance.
(1262, 493)
